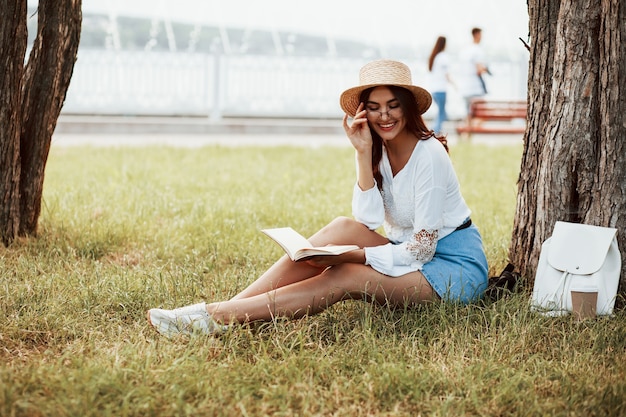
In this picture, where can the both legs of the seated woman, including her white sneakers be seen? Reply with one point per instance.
(293, 290)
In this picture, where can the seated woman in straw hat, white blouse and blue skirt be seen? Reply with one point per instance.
(405, 182)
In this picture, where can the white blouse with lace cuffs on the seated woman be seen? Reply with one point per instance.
(417, 207)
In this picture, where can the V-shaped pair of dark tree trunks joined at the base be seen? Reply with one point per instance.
(31, 98)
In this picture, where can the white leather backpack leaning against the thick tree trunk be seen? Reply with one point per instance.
(577, 257)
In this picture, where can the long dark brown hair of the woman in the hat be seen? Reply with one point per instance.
(414, 124)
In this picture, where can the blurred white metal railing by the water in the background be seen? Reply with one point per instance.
(212, 85)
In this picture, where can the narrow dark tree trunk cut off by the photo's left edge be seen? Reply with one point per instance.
(13, 37)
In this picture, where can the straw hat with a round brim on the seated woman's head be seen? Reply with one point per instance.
(384, 72)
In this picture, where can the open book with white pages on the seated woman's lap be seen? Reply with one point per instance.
(298, 247)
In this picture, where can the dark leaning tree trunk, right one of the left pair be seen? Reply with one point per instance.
(46, 80)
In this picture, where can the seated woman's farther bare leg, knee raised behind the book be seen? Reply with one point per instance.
(341, 231)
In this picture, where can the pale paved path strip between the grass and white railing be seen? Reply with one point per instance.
(197, 132)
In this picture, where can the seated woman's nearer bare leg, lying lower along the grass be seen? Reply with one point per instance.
(313, 295)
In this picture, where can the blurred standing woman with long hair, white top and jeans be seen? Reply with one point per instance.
(439, 67)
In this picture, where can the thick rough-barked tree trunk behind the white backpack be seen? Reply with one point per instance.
(573, 165)
